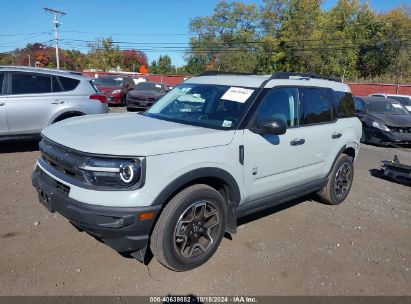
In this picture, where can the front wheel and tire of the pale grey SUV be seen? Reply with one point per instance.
(190, 228)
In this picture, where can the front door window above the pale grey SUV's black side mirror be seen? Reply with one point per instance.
(280, 103)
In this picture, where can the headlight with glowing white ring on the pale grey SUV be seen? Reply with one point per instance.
(113, 173)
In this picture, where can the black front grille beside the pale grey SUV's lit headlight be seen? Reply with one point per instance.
(62, 159)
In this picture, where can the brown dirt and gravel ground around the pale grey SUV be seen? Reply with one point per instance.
(362, 247)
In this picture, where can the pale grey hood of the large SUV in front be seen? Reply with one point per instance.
(131, 134)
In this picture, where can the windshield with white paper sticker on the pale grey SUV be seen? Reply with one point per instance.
(211, 106)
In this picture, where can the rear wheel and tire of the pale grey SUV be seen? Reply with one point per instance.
(339, 181)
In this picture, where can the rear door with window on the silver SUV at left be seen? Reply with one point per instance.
(31, 103)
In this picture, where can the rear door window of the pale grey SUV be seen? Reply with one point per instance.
(316, 107)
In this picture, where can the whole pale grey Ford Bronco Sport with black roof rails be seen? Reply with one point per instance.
(217, 147)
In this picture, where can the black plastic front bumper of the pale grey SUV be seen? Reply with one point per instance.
(118, 227)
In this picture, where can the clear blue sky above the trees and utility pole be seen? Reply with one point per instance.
(157, 27)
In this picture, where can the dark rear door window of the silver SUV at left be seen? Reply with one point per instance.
(30, 83)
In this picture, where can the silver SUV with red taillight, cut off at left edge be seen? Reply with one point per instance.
(33, 98)
